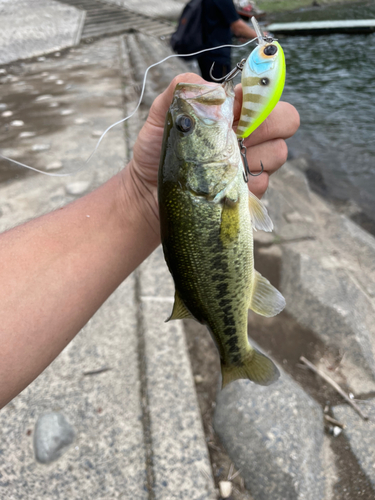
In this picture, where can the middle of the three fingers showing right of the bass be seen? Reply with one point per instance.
(273, 154)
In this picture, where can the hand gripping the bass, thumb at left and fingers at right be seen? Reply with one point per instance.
(266, 144)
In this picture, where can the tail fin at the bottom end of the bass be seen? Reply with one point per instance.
(257, 367)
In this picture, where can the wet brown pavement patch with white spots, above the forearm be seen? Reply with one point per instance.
(41, 99)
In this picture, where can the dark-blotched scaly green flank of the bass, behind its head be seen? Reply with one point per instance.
(206, 266)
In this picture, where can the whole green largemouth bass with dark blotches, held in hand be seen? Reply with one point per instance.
(207, 215)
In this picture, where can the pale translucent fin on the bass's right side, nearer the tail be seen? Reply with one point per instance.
(265, 299)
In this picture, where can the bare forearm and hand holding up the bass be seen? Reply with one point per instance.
(58, 269)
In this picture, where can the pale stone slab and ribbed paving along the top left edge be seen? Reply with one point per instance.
(46, 26)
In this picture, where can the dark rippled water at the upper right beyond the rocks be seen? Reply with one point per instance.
(330, 80)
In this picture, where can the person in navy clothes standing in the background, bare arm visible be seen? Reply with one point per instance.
(219, 22)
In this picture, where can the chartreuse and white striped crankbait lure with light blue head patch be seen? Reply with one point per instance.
(263, 78)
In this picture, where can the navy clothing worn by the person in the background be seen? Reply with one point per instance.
(217, 16)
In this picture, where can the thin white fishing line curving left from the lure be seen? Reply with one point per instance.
(131, 114)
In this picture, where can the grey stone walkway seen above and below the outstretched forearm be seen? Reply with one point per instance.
(123, 388)
